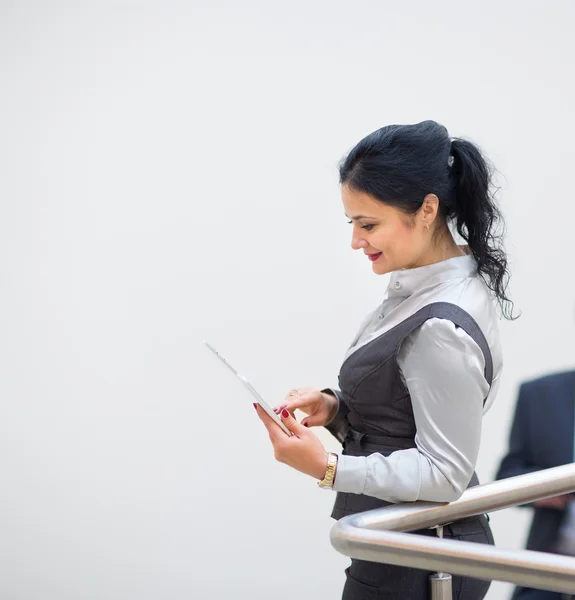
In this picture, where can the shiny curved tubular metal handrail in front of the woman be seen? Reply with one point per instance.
(380, 535)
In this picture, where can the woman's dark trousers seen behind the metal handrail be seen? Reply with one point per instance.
(376, 581)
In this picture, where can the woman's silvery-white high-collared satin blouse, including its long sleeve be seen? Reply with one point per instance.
(443, 369)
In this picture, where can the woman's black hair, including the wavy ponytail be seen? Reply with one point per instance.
(401, 164)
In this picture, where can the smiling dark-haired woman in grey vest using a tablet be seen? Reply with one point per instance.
(425, 364)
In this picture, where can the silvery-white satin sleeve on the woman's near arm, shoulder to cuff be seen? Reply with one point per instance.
(443, 369)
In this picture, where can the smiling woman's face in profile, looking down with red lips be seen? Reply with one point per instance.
(391, 239)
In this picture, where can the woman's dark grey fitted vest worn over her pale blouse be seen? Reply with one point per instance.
(379, 414)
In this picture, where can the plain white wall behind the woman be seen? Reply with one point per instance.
(169, 174)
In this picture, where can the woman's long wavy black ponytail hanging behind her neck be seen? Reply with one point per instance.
(477, 218)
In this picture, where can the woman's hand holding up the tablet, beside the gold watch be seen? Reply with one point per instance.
(302, 451)
